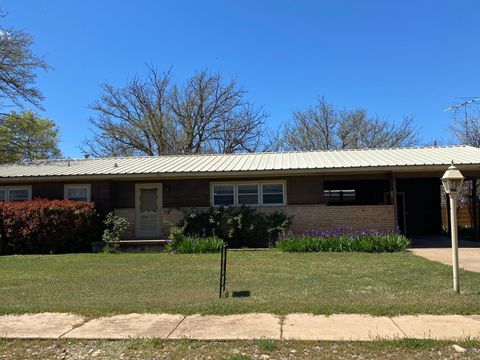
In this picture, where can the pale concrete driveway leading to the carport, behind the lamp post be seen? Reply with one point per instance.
(468, 258)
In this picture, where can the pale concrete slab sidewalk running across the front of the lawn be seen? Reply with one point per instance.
(245, 326)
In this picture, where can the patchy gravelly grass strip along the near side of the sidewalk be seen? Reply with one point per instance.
(235, 350)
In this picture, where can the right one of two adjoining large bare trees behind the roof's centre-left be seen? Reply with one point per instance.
(214, 117)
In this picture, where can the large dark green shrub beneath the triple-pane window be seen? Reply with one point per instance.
(239, 227)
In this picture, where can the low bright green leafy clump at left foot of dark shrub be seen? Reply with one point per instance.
(183, 244)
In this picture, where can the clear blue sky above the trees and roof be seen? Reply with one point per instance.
(390, 57)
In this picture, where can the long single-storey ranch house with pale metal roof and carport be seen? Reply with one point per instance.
(377, 188)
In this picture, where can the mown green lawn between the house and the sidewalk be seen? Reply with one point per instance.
(321, 283)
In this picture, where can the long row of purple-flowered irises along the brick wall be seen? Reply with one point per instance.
(371, 243)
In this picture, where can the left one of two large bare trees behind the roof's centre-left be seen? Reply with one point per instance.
(134, 120)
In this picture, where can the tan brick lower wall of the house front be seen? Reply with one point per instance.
(306, 217)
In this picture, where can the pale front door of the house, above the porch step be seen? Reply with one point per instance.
(148, 204)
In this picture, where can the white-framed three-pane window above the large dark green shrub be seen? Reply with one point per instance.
(247, 193)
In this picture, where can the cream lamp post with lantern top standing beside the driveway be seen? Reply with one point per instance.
(452, 182)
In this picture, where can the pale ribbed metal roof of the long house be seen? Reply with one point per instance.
(242, 164)
